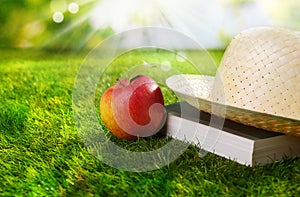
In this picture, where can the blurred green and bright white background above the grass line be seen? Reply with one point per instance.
(81, 24)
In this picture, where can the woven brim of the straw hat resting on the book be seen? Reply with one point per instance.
(197, 90)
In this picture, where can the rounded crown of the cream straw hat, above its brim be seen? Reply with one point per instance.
(260, 71)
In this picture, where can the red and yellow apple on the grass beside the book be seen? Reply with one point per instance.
(132, 108)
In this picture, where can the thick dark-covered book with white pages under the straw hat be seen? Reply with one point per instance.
(244, 144)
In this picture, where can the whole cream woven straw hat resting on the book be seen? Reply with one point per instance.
(260, 79)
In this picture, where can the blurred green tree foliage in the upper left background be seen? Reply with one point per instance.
(29, 23)
